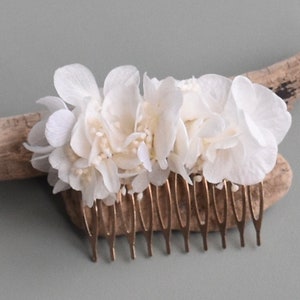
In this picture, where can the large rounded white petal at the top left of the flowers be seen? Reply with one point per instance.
(75, 82)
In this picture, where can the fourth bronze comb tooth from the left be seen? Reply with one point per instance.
(148, 232)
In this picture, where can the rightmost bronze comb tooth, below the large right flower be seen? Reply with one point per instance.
(257, 220)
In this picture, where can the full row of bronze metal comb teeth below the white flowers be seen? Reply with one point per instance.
(178, 217)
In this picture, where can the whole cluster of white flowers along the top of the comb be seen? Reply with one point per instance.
(102, 141)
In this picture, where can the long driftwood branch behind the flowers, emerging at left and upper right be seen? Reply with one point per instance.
(283, 78)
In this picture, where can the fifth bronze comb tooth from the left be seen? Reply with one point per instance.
(166, 228)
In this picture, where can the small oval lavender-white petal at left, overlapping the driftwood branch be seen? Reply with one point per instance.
(59, 127)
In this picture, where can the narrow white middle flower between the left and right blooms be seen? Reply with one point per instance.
(160, 123)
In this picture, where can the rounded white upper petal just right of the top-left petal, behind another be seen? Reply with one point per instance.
(123, 75)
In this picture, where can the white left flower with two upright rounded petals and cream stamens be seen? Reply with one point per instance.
(105, 123)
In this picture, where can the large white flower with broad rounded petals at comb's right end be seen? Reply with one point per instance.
(234, 128)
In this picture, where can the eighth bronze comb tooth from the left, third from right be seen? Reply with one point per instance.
(221, 223)
